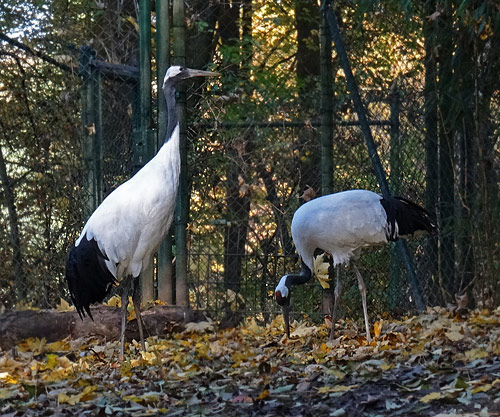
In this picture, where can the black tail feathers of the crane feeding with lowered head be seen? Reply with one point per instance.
(409, 217)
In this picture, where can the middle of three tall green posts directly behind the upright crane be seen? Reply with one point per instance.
(165, 284)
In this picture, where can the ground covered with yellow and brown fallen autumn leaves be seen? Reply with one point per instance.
(433, 364)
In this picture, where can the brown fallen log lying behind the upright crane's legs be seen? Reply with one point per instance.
(56, 325)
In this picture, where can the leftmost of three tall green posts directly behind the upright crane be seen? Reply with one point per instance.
(144, 147)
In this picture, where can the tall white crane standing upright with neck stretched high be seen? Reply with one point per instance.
(120, 237)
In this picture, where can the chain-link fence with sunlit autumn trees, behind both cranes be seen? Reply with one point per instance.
(254, 146)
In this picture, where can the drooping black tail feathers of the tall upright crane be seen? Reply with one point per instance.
(88, 278)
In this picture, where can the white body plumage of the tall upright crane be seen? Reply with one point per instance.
(131, 222)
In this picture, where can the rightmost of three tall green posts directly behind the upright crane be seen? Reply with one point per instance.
(181, 212)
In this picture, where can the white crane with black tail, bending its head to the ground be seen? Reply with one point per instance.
(342, 224)
